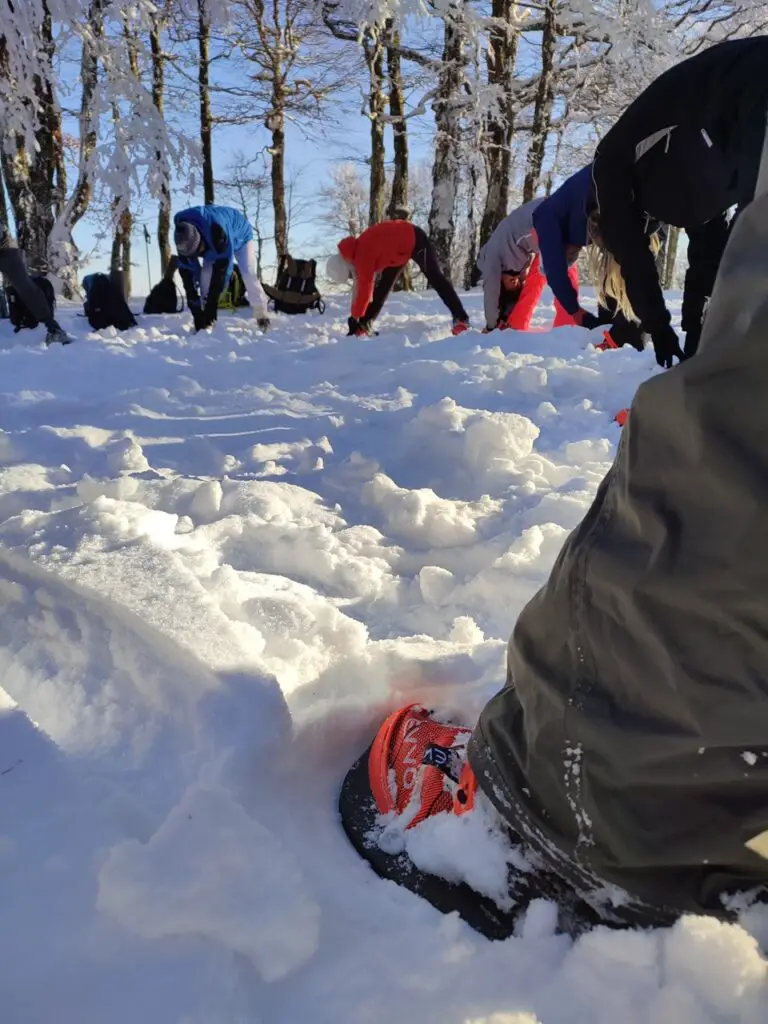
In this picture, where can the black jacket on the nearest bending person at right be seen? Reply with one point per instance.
(684, 153)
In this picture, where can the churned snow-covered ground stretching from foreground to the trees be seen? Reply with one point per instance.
(224, 559)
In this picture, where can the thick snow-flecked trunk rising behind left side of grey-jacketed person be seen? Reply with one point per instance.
(502, 54)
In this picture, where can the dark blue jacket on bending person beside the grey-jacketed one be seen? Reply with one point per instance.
(562, 222)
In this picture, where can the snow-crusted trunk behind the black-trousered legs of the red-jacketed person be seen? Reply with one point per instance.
(448, 140)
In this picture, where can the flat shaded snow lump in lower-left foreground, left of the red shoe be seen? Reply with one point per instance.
(211, 871)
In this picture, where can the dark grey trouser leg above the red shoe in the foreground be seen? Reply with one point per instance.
(630, 744)
